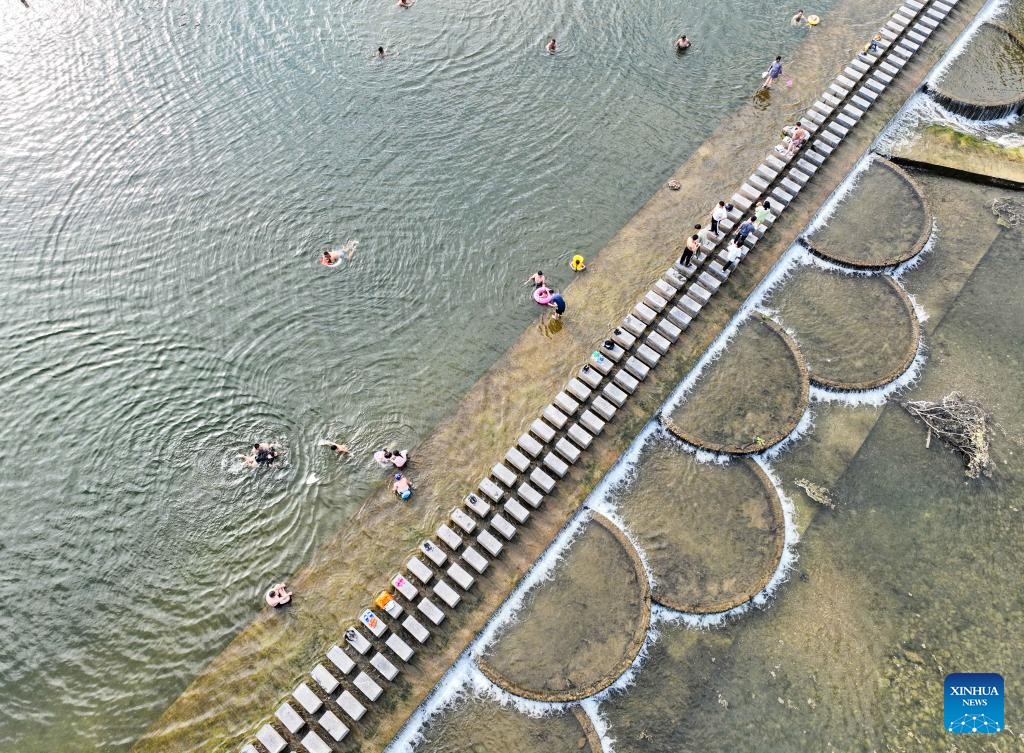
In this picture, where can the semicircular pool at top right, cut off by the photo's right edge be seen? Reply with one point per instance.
(988, 79)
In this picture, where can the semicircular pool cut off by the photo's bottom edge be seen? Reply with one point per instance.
(482, 726)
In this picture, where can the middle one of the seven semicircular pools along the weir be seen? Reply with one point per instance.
(750, 399)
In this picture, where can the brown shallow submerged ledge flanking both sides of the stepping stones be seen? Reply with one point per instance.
(264, 663)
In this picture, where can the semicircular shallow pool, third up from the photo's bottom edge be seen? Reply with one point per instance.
(712, 534)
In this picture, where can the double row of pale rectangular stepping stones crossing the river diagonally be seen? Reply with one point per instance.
(638, 345)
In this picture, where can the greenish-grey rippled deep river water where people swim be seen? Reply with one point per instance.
(170, 173)
